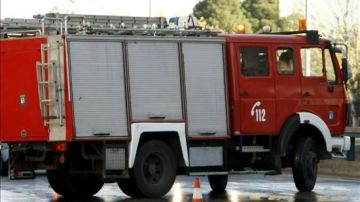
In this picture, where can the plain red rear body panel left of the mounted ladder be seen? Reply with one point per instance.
(20, 116)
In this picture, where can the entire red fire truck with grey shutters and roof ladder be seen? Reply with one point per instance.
(95, 99)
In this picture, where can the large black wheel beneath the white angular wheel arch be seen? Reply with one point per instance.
(154, 169)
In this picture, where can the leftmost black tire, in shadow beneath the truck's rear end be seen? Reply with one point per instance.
(74, 185)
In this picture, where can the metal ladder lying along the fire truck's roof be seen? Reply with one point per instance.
(93, 25)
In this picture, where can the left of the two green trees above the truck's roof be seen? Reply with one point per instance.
(224, 14)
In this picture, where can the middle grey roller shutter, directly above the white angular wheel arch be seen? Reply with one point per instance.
(154, 80)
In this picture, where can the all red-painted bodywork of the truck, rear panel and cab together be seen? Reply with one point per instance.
(280, 95)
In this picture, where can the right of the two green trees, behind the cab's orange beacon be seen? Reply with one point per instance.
(262, 12)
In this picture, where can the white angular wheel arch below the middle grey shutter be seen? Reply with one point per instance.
(173, 134)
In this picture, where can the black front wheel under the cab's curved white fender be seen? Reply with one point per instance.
(305, 164)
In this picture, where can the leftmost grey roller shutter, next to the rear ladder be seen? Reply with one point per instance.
(98, 88)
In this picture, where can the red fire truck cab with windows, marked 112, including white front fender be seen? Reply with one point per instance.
(275, 78)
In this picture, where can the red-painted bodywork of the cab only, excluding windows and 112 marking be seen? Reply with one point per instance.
(281, 95)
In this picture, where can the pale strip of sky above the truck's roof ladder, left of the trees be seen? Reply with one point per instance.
(28, 8)
